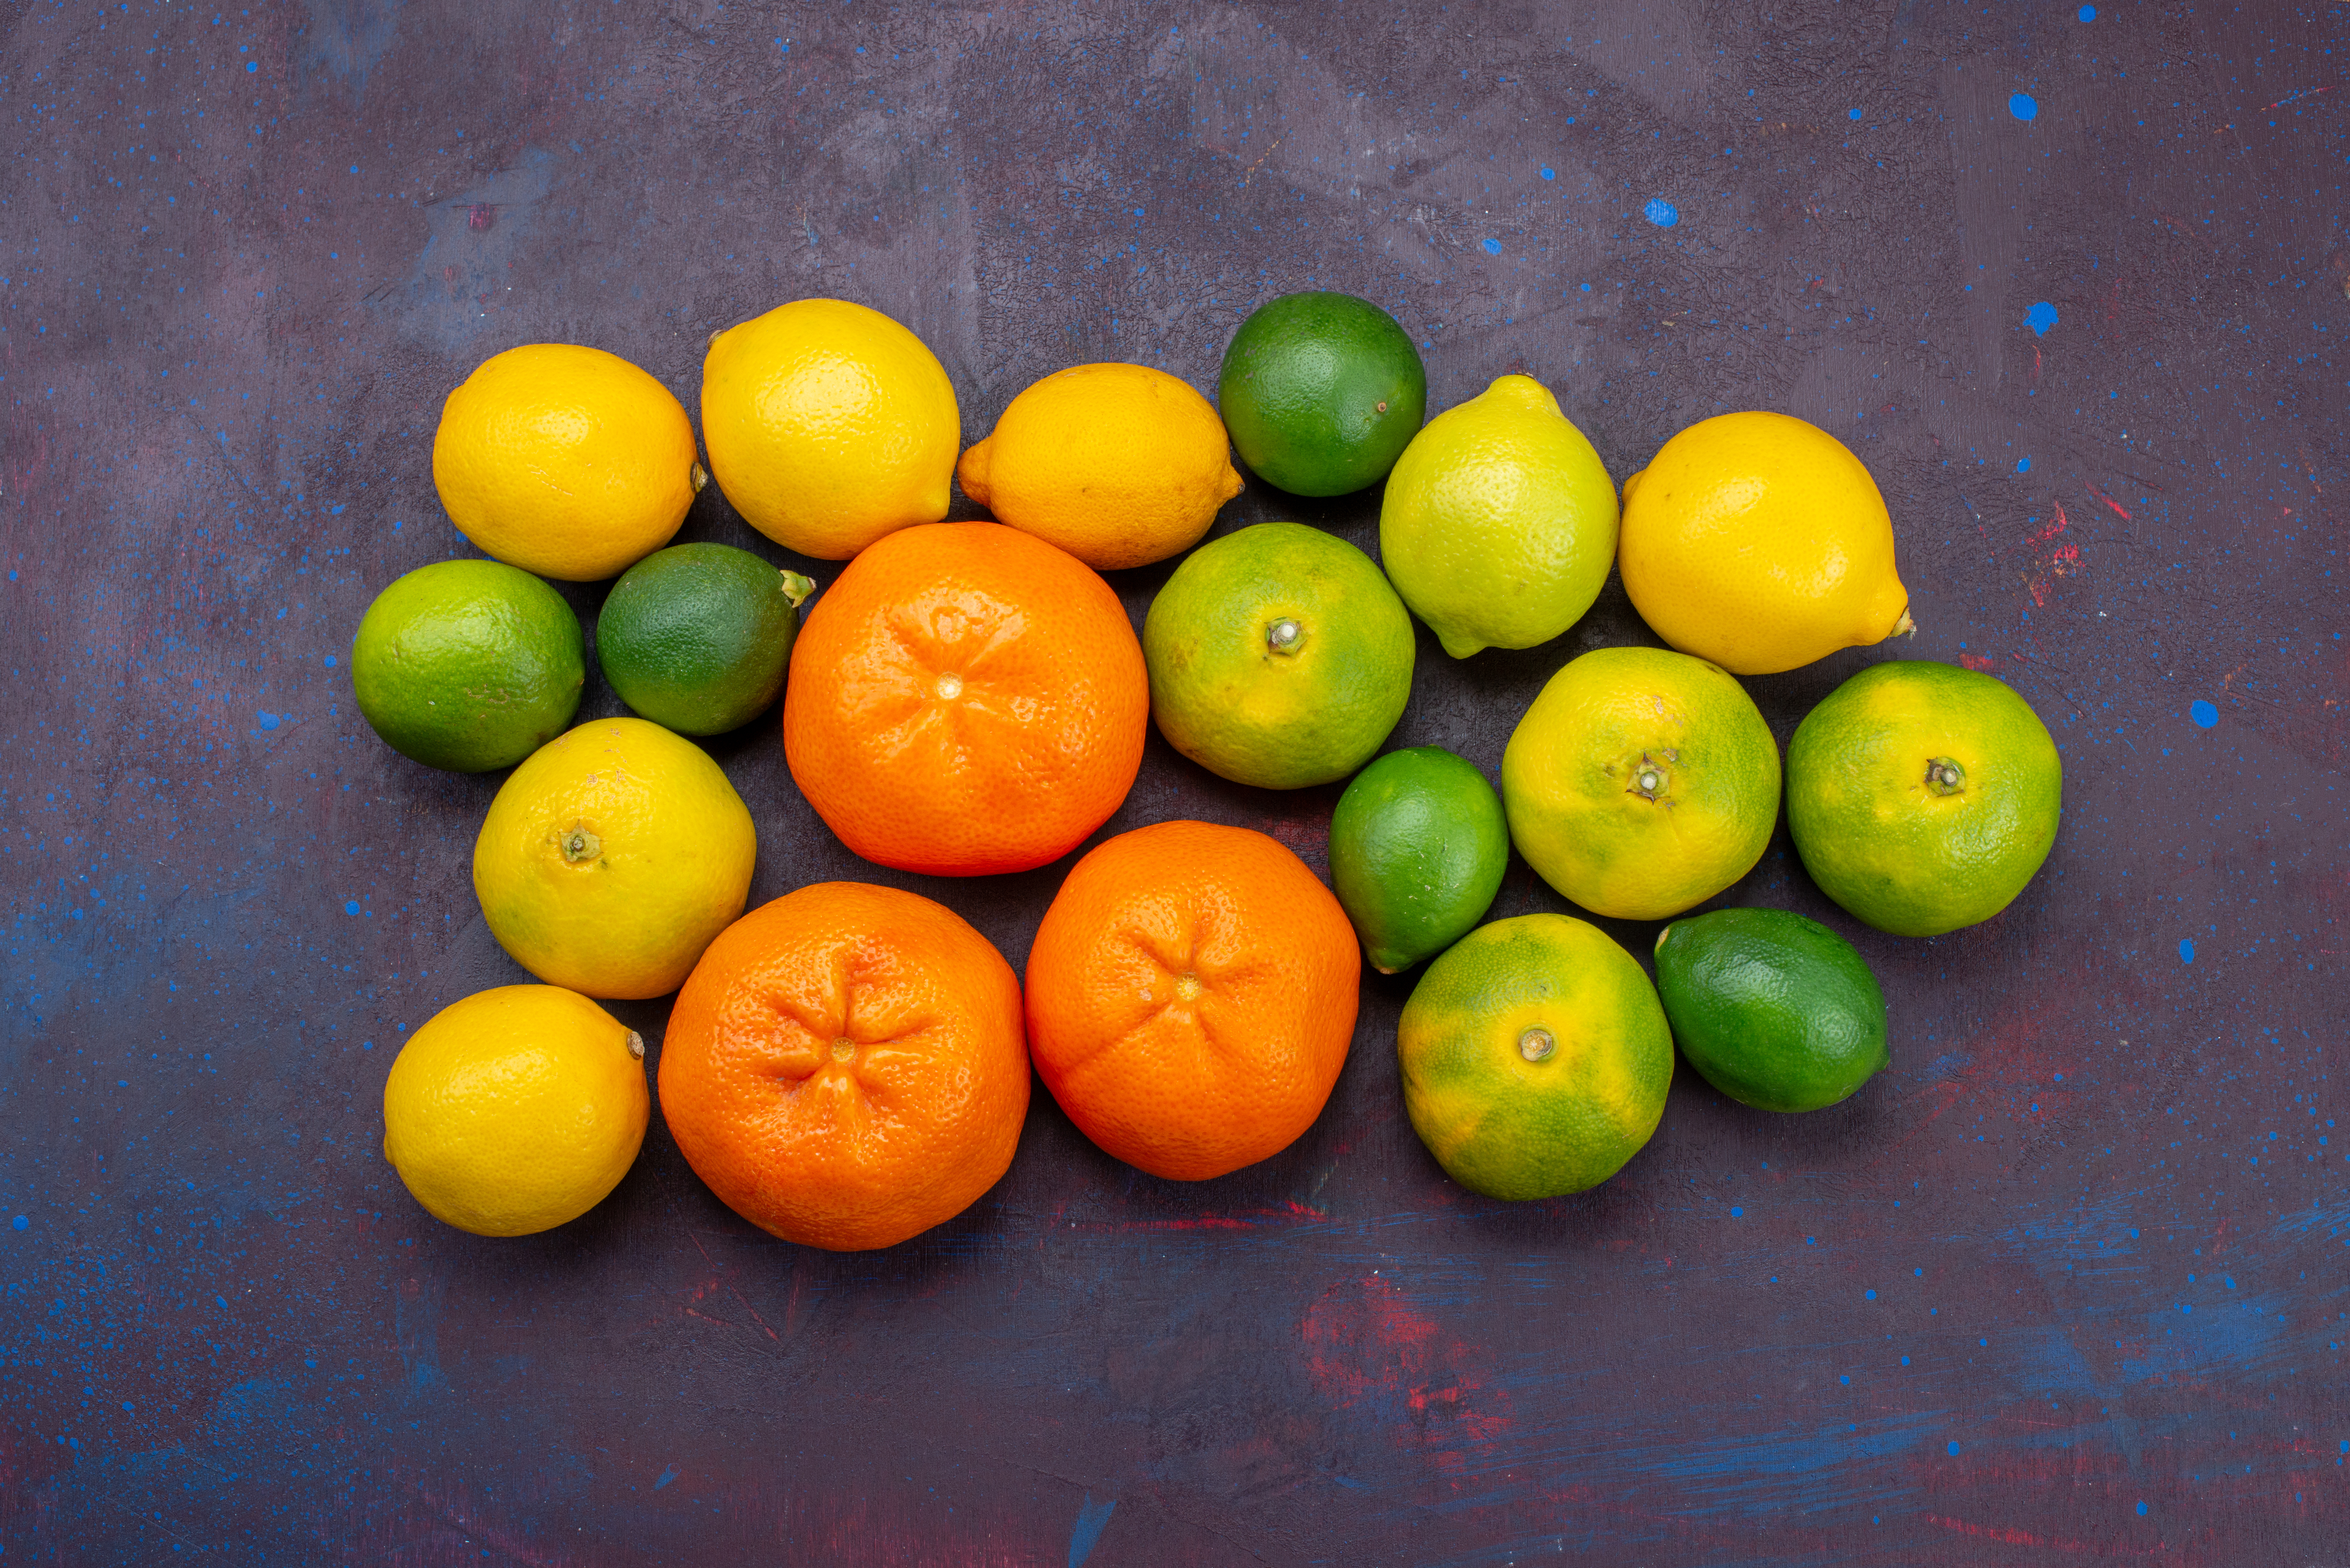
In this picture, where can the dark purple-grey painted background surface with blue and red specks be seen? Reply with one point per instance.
(2067, 1282)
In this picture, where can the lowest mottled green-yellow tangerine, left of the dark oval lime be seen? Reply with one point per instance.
(1536, 1059)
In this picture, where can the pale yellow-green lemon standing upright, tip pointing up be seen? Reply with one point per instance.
(1500, 523)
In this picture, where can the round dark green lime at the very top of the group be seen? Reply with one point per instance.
(1322, 391)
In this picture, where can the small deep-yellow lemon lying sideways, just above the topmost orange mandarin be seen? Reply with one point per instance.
(1117, 464)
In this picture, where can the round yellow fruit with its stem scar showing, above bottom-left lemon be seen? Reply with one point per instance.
(612, 857)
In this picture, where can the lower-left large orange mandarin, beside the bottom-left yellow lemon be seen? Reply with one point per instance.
(845, 1066)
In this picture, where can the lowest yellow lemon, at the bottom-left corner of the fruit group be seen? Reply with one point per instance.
(516, 1111)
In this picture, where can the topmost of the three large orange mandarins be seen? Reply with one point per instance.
(967, 699)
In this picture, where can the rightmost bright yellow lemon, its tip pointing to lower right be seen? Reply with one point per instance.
(1761, 542)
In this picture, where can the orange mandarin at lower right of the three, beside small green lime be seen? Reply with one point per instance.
(1190, 998)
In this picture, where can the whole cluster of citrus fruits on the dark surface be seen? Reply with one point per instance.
(850, 1066)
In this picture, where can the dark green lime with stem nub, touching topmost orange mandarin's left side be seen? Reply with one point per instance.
(697, 638)
